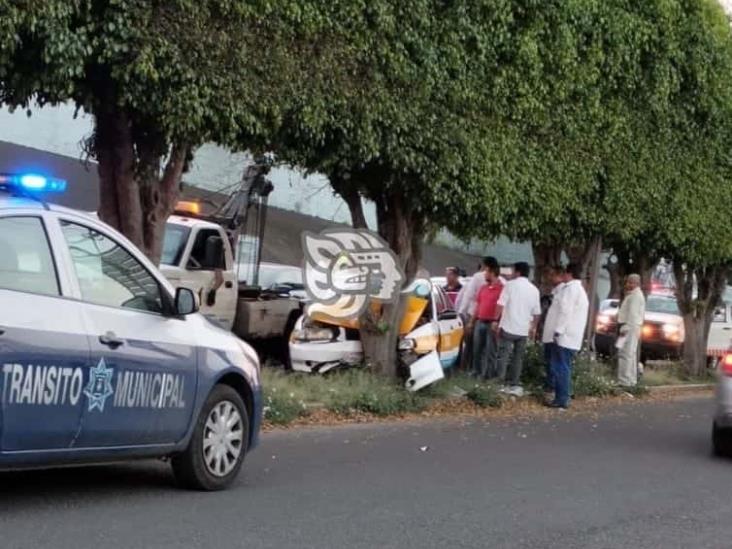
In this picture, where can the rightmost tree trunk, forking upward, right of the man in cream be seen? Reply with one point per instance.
(708, 283)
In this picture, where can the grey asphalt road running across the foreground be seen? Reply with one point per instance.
(640, 476)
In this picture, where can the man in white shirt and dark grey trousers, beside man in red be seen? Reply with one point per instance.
(519, 310)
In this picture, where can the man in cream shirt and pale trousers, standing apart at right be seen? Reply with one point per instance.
(630, 322)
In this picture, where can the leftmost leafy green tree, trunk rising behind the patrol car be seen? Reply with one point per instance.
(160, 78)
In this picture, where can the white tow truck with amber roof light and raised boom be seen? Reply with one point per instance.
(218, 257)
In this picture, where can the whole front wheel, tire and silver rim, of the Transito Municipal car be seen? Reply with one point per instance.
(218, 445)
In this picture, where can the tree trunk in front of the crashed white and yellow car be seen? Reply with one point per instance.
(403, 230)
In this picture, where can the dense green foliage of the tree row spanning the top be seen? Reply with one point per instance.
(557, 121)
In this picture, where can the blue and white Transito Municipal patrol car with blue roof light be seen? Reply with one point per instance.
(102, 359)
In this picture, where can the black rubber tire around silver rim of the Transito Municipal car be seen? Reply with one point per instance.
(189, 467)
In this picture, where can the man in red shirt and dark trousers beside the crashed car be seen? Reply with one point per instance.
(485, 346)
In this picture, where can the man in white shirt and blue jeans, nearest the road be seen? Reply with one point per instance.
(569, 332)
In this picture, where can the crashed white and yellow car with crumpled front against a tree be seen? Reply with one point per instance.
(430, 337)
